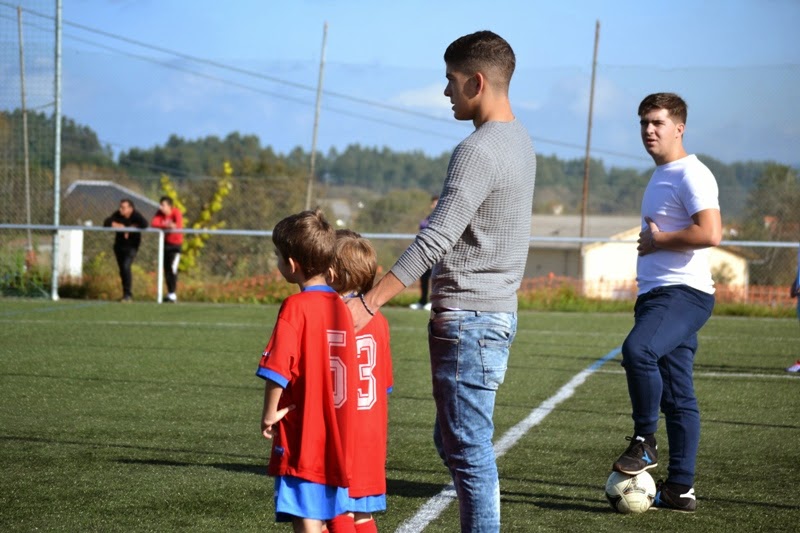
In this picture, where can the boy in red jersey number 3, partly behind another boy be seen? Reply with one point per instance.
(354, 273)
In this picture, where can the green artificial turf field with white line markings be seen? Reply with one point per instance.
(145, 418)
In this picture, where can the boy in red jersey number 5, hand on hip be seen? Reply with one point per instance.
(307, 401)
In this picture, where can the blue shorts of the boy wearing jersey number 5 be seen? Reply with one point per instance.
(298, 498)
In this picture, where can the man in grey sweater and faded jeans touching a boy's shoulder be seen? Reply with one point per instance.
(477, 242)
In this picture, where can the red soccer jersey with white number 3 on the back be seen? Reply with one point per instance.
(374, 382)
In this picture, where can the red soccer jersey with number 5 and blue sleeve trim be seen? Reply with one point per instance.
(309, 354)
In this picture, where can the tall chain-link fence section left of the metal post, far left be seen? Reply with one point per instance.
(27, 131)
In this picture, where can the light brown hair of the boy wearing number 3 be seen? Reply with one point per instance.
(355, 265)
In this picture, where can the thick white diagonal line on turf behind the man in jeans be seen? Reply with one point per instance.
(434, 507)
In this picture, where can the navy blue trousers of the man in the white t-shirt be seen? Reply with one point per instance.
(658, 356)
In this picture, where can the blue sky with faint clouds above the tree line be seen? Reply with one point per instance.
(737, 63)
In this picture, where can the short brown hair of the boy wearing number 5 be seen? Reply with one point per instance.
(309, 239)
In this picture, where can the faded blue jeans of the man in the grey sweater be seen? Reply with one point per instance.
(469, 357)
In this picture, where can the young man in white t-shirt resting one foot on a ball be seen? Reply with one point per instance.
(680, 222)
